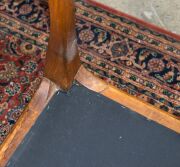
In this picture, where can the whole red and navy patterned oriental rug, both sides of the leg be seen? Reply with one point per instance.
(117, 48)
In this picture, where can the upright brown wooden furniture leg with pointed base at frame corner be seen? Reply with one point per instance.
(62, 60)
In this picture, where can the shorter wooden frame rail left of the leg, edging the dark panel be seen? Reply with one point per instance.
(41, 98)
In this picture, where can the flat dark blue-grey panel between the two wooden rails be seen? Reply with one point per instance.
(83, 129)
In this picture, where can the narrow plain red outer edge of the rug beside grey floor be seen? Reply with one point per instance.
(133, 18)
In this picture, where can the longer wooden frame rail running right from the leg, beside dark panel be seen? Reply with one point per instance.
(93, 83)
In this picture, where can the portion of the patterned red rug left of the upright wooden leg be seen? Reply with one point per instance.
(22, 55)
